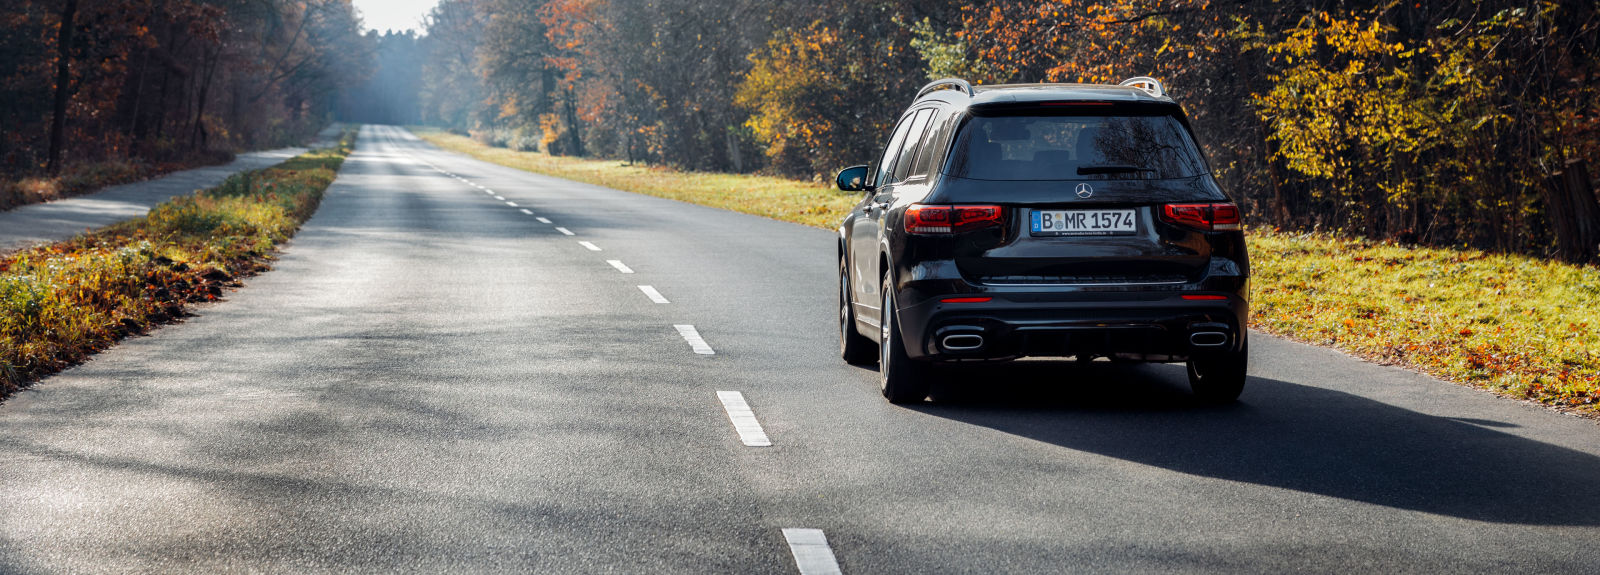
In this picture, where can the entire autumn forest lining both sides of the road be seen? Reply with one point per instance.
(1450, 124)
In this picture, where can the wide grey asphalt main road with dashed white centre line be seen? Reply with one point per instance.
(434, 380)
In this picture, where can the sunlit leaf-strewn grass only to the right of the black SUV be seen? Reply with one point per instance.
(1516, 326)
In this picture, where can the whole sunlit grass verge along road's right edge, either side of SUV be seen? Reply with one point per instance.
(1521, 328)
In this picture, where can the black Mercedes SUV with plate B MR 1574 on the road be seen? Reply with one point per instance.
(1042, 220)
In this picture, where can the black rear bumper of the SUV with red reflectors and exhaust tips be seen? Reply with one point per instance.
(1150, 326)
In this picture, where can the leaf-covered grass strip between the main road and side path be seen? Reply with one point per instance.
(60, 304)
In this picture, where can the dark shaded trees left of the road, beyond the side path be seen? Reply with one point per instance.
(102, 92)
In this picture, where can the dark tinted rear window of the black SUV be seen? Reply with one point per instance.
(1074, 148)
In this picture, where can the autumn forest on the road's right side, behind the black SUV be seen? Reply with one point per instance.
(1434, 123)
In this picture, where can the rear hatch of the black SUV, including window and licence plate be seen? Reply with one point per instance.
(1082, 195)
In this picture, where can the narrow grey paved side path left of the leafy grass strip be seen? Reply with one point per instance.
(55, 222)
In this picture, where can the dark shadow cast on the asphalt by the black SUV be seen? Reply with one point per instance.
(1286, 435)
